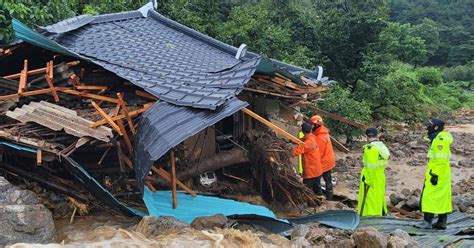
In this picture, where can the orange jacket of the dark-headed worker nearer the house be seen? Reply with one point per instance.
(311, 158)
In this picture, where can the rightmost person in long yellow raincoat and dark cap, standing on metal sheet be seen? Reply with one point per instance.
(436, 195)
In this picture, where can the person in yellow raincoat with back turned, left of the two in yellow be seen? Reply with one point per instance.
(371, 200)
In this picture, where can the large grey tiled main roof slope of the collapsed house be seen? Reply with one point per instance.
(174, 63)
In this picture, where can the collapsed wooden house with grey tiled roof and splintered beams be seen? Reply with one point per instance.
(135, 101)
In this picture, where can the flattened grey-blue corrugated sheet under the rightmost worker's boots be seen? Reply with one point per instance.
(457, 222)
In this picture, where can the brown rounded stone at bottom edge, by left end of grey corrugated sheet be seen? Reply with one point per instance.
(369, 237)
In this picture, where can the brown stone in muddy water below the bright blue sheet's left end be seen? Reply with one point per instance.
(152, 226)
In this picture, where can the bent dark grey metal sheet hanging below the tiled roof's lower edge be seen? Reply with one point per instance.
(165, 125)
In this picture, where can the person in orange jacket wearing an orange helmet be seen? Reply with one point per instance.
(328, 159)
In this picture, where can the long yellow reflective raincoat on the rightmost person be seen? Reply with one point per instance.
(436, 199)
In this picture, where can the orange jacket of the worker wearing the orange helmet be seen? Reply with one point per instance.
(328, 159)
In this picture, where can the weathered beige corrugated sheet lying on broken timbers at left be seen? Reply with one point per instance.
(59, 118)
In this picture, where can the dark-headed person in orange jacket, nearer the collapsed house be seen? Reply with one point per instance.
(312, 169)
